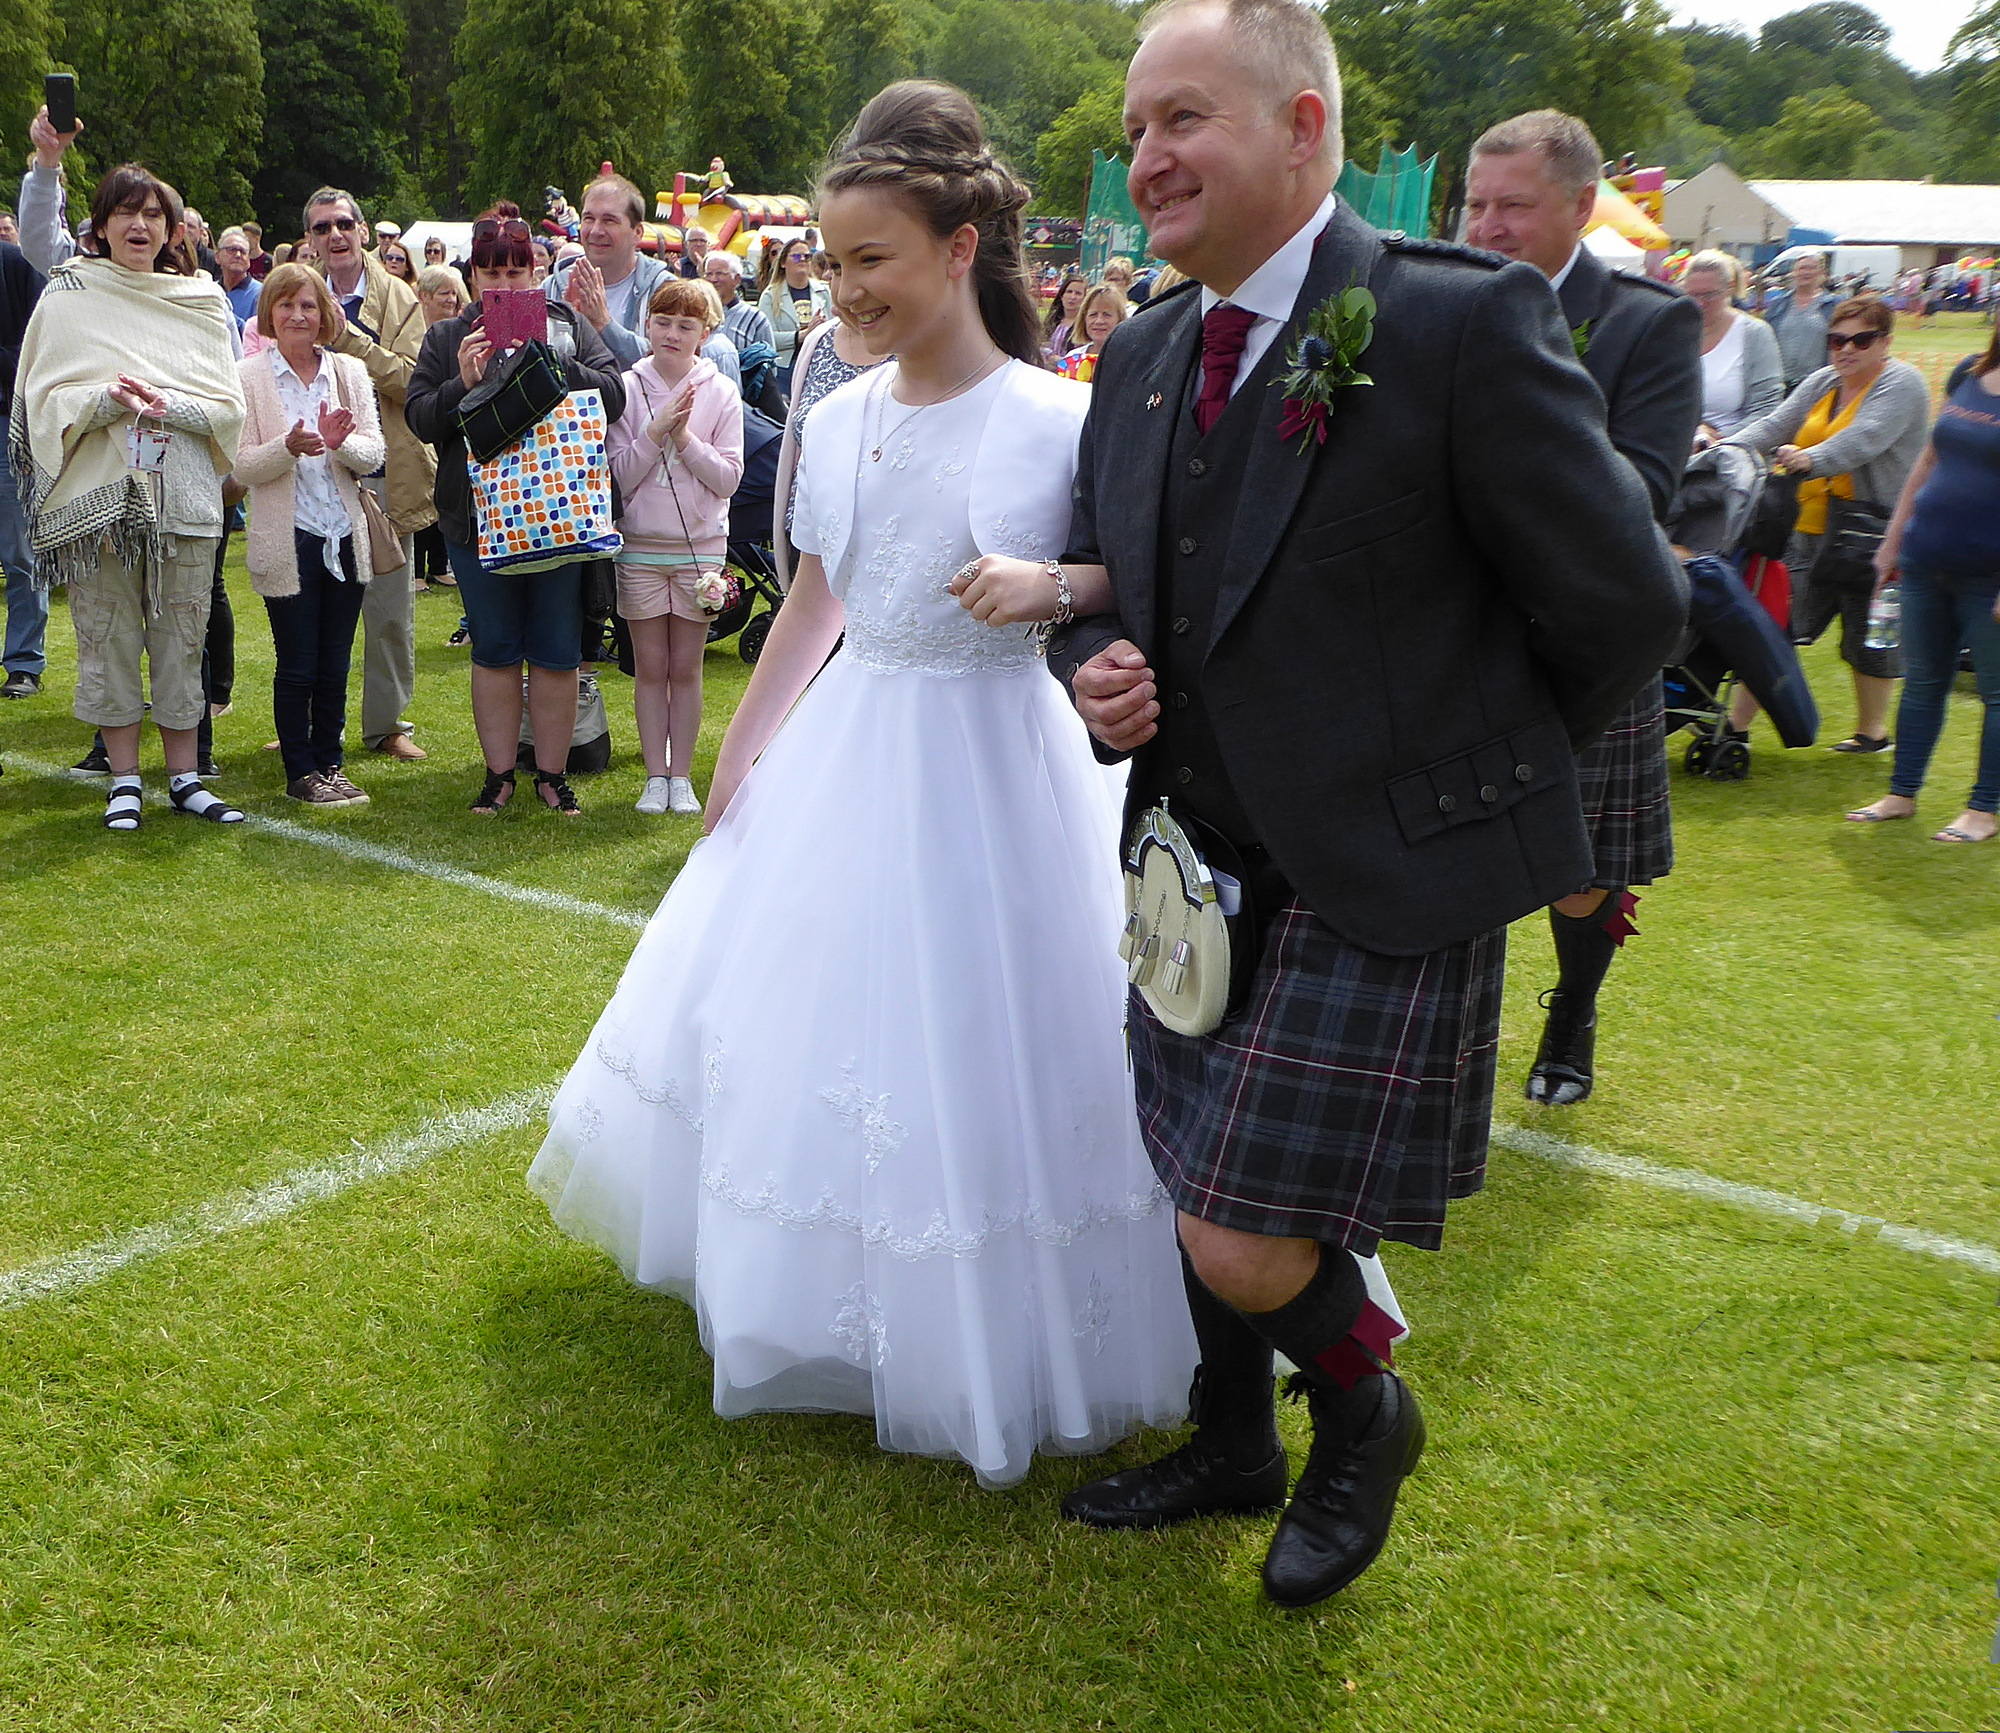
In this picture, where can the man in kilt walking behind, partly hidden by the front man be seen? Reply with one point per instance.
(1531, 193)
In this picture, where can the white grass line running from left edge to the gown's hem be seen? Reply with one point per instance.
(293, 1192)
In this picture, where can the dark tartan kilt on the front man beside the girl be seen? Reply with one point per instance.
(1347, 1104)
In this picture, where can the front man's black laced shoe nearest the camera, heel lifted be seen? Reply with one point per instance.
(1345, 1502)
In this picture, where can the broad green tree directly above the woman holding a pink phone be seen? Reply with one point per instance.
(551, 89)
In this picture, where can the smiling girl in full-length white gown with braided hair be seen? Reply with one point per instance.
(861, 1096)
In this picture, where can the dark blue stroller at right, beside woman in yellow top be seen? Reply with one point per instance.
(1727, 517)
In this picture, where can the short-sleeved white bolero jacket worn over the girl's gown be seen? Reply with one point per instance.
(1021, 477)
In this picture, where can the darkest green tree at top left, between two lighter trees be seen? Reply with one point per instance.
(335, 105)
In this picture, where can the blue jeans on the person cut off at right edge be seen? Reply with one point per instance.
(1943, 615)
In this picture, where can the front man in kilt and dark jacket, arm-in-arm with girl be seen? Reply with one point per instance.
(1359, 665)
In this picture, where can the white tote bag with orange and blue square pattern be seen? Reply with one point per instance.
(547, 501)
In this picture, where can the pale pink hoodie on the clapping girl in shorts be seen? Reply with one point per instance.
(695, 513)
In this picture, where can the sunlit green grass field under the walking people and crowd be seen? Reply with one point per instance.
(311, 1422)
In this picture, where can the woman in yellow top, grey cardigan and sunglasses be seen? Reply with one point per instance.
(1853, 431)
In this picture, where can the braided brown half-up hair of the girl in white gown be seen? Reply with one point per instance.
(925, 143)
